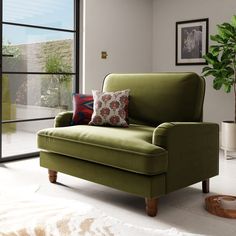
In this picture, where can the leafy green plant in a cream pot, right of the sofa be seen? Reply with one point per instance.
(221, 60)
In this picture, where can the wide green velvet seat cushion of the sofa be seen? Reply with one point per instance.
(128, 149)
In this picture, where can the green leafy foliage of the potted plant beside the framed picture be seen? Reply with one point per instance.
(222, 57)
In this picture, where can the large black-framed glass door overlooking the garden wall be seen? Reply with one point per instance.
(39, 69)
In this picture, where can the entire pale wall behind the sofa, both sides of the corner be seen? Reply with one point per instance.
(139, 36)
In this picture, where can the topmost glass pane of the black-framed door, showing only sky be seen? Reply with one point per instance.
(49, 13)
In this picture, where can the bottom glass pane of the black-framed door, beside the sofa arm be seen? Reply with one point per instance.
(20, 138)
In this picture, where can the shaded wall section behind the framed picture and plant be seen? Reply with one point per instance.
(218, 105)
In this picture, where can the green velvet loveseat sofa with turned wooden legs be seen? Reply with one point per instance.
(165, 148)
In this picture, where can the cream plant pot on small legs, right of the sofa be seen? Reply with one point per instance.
(228, 137)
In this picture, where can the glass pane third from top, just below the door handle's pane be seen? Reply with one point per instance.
(35, 96)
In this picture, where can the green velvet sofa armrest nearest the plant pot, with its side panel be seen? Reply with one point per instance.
(193, 151)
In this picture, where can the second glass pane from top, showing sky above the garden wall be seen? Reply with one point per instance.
(37, 50)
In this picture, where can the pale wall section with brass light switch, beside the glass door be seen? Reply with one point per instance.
(124, 29)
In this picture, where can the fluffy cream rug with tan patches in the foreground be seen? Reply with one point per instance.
(41, 216)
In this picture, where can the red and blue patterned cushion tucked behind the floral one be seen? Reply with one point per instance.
(83, 109)
